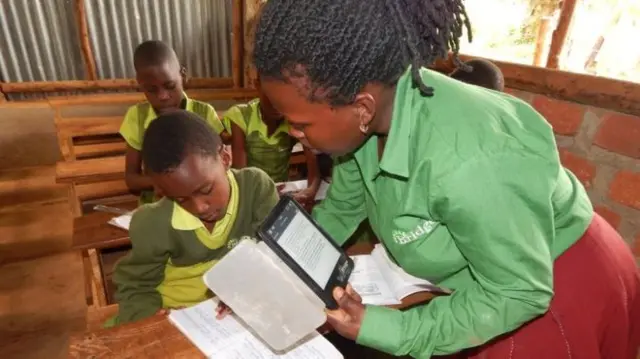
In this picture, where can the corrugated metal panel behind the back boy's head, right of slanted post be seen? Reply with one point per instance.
(199, 31)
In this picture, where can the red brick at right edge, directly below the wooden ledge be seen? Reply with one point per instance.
(619, 133)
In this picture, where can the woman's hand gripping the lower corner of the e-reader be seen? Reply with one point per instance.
(347, 319)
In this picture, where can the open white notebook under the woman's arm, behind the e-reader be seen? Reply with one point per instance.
(379, 281)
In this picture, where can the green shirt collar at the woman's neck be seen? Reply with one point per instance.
(395, 159)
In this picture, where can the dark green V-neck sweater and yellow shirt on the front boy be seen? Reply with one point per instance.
(172, 249)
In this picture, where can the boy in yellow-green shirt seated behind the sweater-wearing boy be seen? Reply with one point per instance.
(161, 78)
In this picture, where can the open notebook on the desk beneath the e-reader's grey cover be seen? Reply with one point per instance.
(229, 338)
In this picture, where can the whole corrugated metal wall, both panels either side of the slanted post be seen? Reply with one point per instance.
(39, 38)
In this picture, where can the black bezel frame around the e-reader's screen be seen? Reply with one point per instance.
(341, 272)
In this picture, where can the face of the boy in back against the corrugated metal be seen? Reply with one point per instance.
(162, 85)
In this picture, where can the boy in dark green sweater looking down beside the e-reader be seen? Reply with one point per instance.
(205, 209)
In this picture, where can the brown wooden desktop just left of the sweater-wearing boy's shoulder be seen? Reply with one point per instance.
(91, 231)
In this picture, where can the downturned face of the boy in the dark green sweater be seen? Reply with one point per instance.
(199, 184)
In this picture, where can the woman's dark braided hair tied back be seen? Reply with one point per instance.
(341, 45)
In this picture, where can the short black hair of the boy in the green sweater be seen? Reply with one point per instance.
(173, 136)
